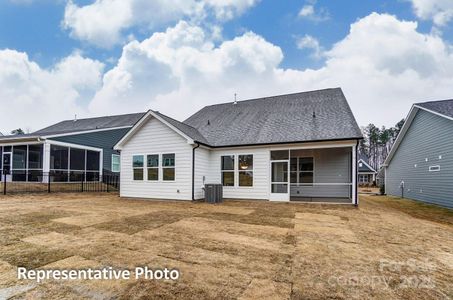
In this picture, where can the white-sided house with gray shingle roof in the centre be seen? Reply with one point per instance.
(292, 147)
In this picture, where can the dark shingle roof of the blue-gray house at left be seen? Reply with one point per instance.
(69, 126)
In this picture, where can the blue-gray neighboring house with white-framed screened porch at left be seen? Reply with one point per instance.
(71, 150)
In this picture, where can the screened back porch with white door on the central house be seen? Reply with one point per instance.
(323, 174)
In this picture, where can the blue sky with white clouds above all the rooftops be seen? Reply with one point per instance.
(290, 37)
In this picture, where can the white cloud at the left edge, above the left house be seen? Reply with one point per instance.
(32, 97)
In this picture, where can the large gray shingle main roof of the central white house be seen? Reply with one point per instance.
(308, 116)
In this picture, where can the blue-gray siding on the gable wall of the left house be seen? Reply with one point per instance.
(102, 139)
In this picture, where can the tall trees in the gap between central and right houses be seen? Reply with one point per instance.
(377, 142)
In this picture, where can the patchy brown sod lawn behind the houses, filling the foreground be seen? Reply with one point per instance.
(385, 249)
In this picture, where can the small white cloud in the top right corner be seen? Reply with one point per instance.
(439, 11)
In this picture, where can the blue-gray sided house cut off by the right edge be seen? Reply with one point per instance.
(420, 164)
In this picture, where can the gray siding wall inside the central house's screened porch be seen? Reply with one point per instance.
(330, 166)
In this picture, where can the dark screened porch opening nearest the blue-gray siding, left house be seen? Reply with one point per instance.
(74, 164)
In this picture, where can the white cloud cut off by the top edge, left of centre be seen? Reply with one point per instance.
(103, 22)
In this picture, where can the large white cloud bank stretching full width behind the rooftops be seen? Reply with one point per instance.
(383, 65)
